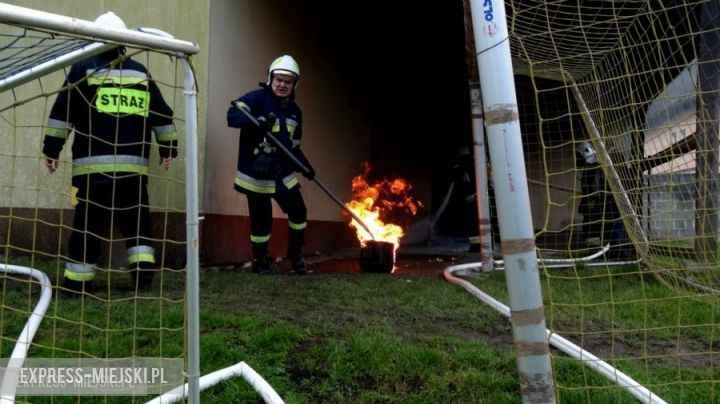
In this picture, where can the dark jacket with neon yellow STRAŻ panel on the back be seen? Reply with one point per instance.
(113, 110)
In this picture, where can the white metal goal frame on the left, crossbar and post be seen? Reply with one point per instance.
(101, 38)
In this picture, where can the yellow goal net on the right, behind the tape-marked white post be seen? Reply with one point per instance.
(619, 106)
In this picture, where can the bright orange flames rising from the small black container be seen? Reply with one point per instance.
(382, 200)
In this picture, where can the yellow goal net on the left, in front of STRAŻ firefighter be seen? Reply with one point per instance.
(114, 319)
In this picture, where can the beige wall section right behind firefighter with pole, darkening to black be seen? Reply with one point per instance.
(245, 36)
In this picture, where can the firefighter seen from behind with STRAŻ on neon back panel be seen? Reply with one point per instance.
(113, 106)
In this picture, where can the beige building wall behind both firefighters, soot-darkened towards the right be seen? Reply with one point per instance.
(237, 41)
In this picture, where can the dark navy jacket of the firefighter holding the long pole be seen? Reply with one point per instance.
(262, 167)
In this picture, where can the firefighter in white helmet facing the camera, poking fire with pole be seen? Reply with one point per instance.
(263, 171)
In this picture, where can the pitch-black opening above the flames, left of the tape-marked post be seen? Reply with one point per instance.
(406, 65)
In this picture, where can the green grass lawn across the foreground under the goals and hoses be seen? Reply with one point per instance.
(377, 338)
